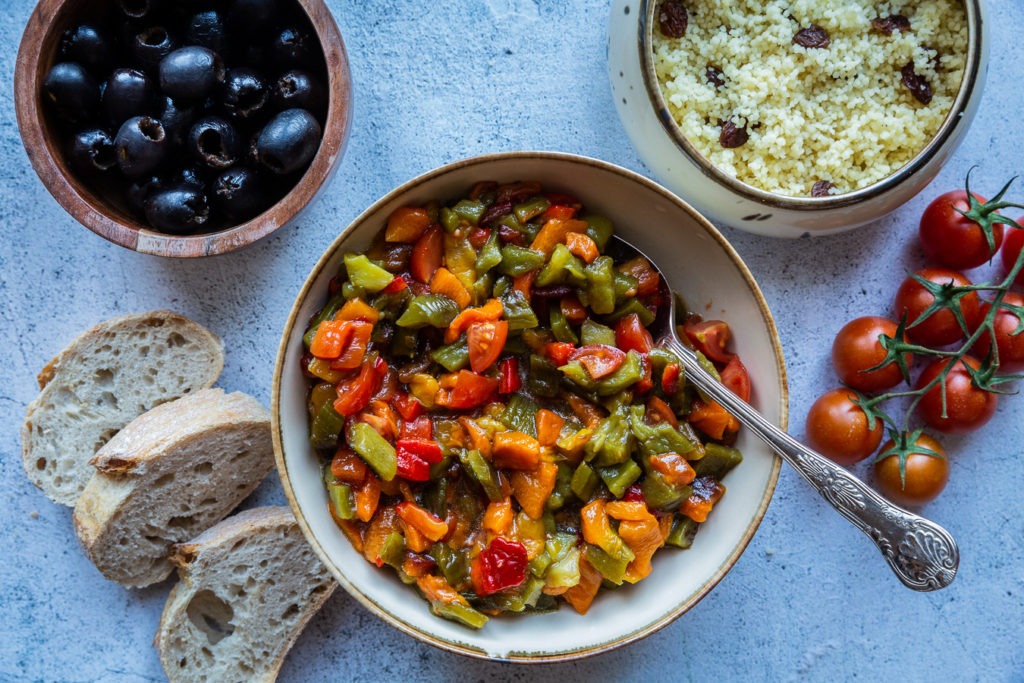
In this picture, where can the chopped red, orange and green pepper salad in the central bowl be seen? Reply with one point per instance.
(495, 420)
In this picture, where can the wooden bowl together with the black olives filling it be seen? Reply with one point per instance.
(184, 127)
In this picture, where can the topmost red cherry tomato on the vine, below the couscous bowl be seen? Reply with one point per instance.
(952, 240)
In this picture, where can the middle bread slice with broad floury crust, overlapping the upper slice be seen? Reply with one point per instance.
(169, 476)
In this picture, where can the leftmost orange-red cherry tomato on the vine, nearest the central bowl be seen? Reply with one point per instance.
(837, 429)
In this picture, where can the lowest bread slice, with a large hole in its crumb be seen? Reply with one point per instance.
(248, 588)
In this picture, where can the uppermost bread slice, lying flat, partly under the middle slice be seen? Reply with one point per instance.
(102, 381)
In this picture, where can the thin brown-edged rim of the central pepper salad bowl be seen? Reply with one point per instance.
(331, 255)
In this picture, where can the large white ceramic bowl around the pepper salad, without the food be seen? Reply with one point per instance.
(698, 263)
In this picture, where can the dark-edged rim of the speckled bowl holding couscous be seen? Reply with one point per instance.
(973, 73)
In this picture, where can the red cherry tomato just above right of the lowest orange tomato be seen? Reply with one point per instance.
(967, 407)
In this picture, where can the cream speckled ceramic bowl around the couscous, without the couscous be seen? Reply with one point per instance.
(670, 156)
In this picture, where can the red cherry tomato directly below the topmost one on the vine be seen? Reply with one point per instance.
(942, 327)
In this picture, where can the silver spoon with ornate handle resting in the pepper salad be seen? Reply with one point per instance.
(922, 554)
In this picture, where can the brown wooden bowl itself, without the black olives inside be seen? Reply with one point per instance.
(103, 215)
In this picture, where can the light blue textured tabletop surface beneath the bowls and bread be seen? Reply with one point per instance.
(435, 82)
